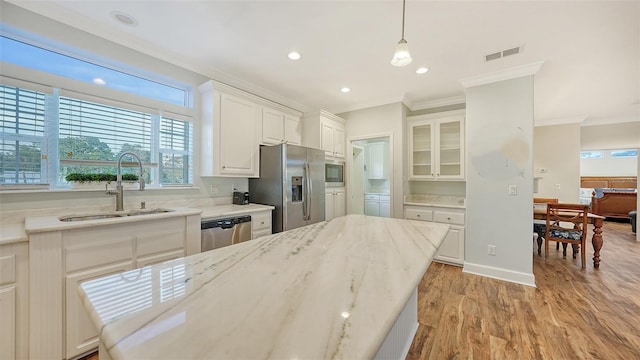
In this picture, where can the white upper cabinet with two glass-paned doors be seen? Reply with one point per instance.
(436, 146)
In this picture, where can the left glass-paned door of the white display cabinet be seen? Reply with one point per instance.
(421, 154)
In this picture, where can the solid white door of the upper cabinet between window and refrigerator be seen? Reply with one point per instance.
(237, 136)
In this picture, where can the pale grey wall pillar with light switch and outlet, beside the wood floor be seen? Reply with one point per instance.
(499, 128)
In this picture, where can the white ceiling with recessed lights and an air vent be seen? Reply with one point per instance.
(591, 50)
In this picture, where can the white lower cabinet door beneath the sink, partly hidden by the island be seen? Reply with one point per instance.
(82, 335)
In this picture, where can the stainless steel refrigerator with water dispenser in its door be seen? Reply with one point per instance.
(292, 180)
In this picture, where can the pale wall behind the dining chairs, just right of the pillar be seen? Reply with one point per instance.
(557, 149)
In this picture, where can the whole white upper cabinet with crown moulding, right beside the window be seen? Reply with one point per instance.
(229, 125)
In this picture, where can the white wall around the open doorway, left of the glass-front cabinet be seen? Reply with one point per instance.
(376, 121)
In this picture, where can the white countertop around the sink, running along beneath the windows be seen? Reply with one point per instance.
(12, 228)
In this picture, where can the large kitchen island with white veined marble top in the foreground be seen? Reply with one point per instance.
(334, 289)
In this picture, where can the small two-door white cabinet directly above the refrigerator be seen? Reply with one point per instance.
(279, 127)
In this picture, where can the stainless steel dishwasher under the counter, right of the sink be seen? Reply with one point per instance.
(218, 233)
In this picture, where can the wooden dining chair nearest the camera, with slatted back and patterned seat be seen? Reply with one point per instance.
(567, 224)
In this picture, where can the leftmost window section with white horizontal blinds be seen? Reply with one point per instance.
(22, 126)
